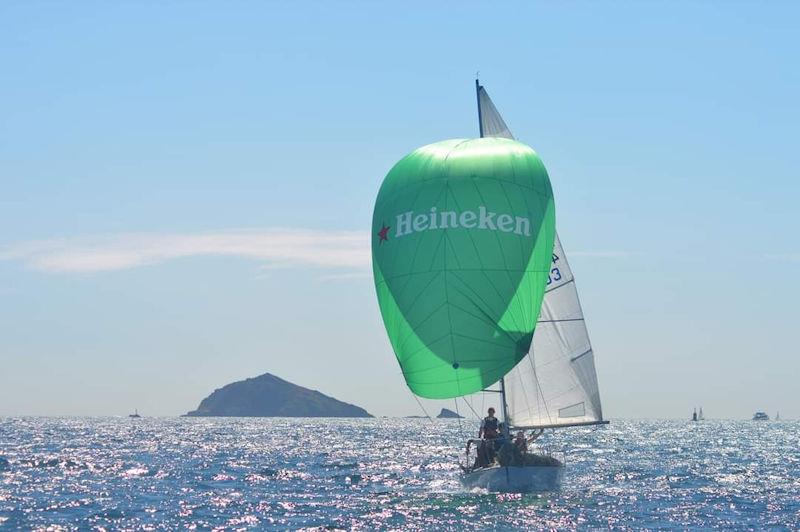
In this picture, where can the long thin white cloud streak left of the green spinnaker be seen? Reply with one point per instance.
(348, 250)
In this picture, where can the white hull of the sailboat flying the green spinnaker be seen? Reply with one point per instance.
(515, 479)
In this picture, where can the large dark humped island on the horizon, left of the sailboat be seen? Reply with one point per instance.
(270, 396)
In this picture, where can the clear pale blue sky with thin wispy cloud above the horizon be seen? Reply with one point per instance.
(186, 191)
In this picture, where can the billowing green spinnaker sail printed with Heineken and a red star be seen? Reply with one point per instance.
(462, 243)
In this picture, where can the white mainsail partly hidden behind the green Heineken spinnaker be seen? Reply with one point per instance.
(556, 383)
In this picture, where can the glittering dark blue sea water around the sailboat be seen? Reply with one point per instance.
(233, 473)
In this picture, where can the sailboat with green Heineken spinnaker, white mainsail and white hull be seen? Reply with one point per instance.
(475, 290)
